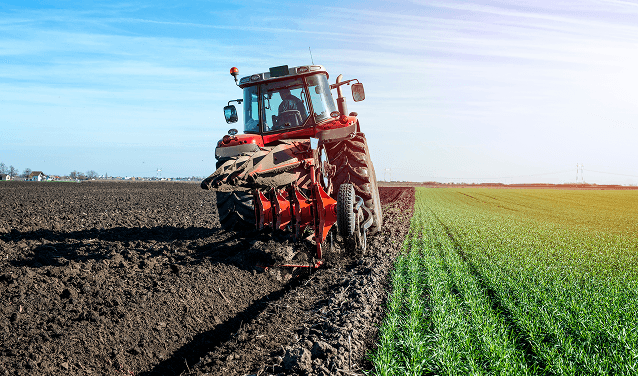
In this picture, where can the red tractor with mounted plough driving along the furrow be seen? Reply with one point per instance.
(302, 163)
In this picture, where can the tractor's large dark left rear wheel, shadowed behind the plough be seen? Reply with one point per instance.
(235, 208)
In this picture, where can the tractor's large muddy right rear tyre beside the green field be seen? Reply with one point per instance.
(353, 165)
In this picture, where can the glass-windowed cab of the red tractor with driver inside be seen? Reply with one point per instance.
(284, 99)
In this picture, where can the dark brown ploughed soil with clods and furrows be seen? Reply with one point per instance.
(138, 279)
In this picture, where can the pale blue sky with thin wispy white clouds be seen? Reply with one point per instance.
(456, 91)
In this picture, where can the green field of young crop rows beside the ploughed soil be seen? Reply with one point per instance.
(515, 282)
